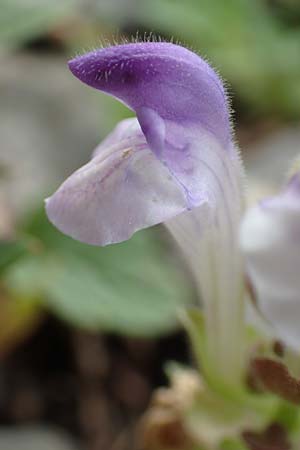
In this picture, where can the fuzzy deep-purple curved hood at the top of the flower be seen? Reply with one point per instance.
(169, 79)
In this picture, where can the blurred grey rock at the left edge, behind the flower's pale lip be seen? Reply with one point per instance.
(49, 125)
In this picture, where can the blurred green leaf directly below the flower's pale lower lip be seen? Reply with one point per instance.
(131, 288)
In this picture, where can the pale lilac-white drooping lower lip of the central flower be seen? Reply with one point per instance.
(122, 189)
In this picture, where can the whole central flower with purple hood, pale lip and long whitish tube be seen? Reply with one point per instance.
(175, 163)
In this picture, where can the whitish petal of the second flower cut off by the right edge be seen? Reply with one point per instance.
(270, 238)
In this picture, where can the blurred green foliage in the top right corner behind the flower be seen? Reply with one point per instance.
(250, 46)
